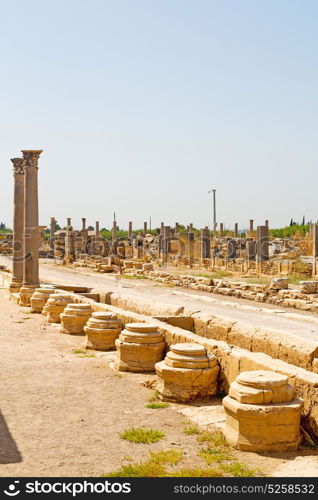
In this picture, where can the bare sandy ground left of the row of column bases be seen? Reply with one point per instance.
(61, 413)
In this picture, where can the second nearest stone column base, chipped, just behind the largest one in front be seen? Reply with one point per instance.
(188, 372)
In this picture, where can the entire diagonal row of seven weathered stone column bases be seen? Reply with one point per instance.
(262, 412)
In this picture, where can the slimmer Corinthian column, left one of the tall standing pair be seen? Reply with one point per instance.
(18, 224)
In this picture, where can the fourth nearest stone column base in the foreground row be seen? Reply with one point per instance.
(101, 330)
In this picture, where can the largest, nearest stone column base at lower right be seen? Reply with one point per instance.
(262, 413)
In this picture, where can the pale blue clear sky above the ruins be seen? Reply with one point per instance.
(142, 106)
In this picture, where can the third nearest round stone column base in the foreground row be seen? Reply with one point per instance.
(139, 347)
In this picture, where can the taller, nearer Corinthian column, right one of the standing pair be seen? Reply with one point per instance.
(31, 226)
